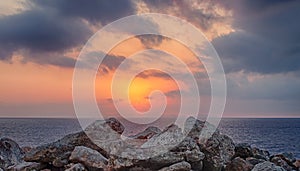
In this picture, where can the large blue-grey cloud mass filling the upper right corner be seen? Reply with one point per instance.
(268, 40)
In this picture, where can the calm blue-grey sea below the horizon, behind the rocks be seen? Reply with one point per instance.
(274, 135)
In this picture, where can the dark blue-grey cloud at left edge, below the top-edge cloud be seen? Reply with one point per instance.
(40, 34)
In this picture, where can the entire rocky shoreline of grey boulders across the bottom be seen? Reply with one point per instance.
(172, 149)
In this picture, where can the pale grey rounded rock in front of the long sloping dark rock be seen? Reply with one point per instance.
(88, 157)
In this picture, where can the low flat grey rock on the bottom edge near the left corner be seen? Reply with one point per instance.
(27, 166)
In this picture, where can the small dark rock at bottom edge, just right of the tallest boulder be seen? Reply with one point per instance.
(238, 164)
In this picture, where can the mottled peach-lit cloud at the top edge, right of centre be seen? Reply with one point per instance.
(206, 15)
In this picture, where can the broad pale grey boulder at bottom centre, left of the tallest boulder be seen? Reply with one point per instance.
(163, 149)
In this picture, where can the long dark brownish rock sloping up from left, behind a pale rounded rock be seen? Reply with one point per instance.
(58, 152)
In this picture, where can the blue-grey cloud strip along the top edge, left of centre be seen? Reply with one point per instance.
(93, 10)
